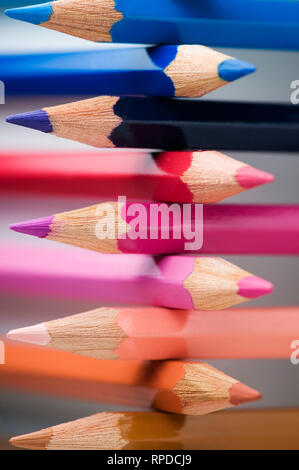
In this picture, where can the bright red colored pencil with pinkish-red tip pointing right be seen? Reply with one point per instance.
(202, 177)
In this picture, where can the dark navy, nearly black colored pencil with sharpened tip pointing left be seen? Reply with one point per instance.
(169, 124)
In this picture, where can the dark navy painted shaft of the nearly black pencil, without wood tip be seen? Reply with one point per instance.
(178, 125)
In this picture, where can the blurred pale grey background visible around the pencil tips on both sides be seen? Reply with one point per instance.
(278, 380)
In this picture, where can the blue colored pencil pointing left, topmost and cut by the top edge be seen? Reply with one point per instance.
(239, 23)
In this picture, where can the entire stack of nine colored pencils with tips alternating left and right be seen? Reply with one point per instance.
(149, 350)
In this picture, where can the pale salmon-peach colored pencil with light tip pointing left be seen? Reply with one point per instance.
(157, 333)
